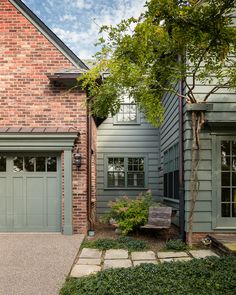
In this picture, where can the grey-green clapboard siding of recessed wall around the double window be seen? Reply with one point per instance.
(126, 139)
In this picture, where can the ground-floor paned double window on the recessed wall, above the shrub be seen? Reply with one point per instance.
(126, 172)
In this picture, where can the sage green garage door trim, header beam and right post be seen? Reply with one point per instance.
(36, 142)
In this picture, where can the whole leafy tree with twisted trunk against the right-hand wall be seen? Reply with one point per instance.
(174, 39)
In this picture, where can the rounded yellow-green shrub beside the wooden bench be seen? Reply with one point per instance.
(129, 214)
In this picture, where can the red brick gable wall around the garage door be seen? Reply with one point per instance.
(28, 99)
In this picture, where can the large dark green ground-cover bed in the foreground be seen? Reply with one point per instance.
(211, 276)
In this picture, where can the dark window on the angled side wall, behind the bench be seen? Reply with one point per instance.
(171, 172)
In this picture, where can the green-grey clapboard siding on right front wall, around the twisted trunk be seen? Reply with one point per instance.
(224, 110)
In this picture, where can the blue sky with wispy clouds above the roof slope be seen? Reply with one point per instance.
(77, 22)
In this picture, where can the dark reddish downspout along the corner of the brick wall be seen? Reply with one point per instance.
(89, 171)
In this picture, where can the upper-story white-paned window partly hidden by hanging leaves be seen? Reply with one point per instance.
(128, 113)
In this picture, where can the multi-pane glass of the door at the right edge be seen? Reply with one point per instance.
(228, 178)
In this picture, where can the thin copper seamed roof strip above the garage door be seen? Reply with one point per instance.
(38, 130)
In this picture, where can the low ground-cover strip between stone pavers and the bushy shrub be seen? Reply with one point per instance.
(122, 242)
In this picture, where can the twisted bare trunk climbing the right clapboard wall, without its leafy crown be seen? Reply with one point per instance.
(197, 122)
